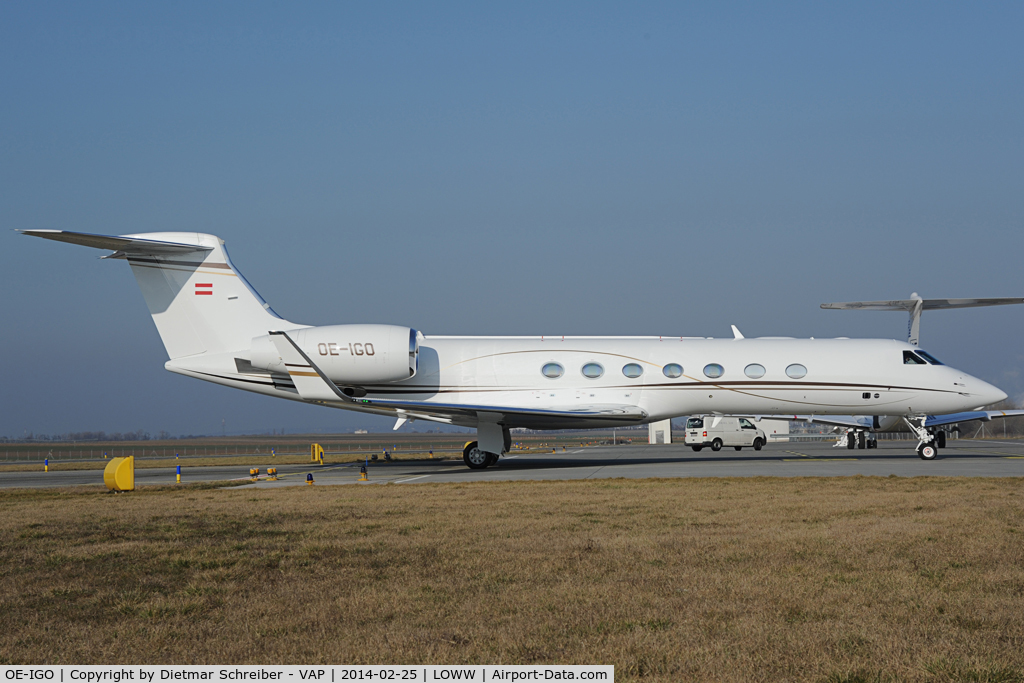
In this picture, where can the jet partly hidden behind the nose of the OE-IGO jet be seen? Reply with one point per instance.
(859, 428)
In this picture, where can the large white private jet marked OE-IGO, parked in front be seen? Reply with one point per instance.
(217, 328)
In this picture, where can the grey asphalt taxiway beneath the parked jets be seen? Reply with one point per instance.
(967, 458)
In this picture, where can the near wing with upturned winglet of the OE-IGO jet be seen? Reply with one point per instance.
(313, 385)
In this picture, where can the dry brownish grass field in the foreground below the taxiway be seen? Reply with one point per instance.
(735, 580)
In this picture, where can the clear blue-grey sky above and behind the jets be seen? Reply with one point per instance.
(480, 168)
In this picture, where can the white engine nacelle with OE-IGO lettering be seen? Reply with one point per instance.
(350, 355)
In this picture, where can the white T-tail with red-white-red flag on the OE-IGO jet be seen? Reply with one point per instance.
(199, 301)
